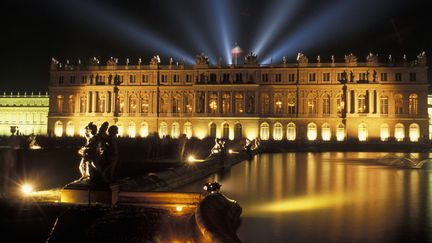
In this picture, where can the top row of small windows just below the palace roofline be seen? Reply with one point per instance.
(227, 77)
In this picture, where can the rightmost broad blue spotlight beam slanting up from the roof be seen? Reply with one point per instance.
(336, 22)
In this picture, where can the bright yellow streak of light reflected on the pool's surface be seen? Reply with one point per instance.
(298, 204)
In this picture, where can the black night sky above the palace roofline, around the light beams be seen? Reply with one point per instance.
(35, 31)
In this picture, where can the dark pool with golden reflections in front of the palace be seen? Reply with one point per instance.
(329, 197)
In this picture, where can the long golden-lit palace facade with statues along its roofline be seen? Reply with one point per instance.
(332, 101)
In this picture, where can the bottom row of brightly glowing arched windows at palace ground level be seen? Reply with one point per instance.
(264, 131)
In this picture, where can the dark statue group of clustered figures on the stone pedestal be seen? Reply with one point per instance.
(99, 155)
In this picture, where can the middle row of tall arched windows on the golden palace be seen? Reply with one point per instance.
(240, 103)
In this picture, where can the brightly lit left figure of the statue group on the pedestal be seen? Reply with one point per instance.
(88, 152)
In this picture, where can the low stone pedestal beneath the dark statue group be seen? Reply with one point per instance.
(82, 192)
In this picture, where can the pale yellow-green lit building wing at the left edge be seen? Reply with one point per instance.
(26, 113)
